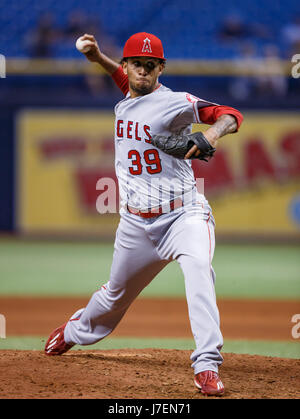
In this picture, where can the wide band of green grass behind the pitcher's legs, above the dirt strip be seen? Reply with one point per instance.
(63, 268)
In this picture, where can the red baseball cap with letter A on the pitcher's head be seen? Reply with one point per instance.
(143, 44)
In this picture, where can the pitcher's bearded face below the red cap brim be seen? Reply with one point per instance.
(143, 73)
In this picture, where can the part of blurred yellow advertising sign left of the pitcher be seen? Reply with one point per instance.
(61, 156)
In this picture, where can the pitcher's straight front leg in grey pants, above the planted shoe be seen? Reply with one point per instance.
(193, 241)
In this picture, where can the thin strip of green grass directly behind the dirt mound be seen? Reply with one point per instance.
(265, 348)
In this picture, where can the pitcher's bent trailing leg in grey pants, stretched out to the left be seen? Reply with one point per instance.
(135, 264)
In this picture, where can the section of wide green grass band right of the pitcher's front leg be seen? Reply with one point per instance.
(265, 271)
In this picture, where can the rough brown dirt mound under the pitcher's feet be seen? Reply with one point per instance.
(139, 374)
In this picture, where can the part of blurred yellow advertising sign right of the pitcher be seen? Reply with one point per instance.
(253, 182)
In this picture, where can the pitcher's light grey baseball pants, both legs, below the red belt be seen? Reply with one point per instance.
(143, 247)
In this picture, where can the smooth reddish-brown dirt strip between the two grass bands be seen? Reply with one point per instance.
(155, 317)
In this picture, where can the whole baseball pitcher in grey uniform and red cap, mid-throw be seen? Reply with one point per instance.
(163, 217)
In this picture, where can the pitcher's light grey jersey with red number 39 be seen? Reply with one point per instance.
(148, 177)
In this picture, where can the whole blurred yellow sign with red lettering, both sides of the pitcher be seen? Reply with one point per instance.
(252, 183)
